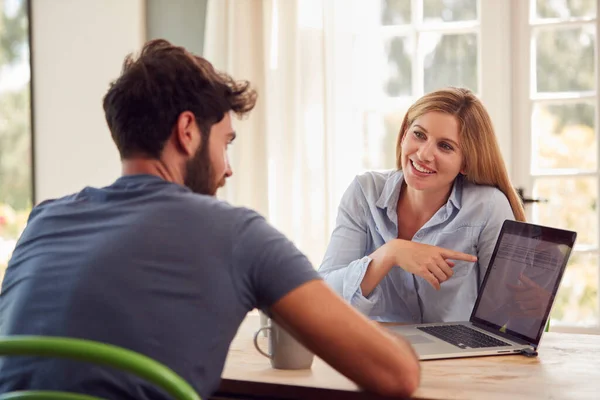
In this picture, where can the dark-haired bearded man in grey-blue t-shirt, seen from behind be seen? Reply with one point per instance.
(155, 263)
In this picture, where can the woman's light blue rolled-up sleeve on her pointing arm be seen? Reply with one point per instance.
(345, 262)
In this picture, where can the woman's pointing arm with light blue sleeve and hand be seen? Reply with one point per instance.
(355, 275)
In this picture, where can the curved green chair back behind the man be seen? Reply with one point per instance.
(93, 352)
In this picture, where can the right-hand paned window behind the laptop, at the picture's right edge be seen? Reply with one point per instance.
(556, 139)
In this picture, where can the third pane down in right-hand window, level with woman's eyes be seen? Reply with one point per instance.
(563, 136)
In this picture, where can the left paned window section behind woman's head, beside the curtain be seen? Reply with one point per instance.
(412, 48)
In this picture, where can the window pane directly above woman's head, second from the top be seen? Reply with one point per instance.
(450, 60)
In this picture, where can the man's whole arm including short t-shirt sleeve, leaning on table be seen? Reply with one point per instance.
(273, 274)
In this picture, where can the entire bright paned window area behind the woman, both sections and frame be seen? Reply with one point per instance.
(534, 65)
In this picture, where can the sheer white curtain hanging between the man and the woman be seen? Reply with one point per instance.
(302, 145)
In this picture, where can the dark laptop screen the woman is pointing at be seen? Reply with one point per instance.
(522, 279)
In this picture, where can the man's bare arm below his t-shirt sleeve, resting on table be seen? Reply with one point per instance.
(359, 349)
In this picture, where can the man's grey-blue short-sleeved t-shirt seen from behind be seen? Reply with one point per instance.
(147, 265)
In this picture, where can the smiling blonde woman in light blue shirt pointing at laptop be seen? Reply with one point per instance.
(389, 255)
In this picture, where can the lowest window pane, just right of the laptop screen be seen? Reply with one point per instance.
(577, 299)
